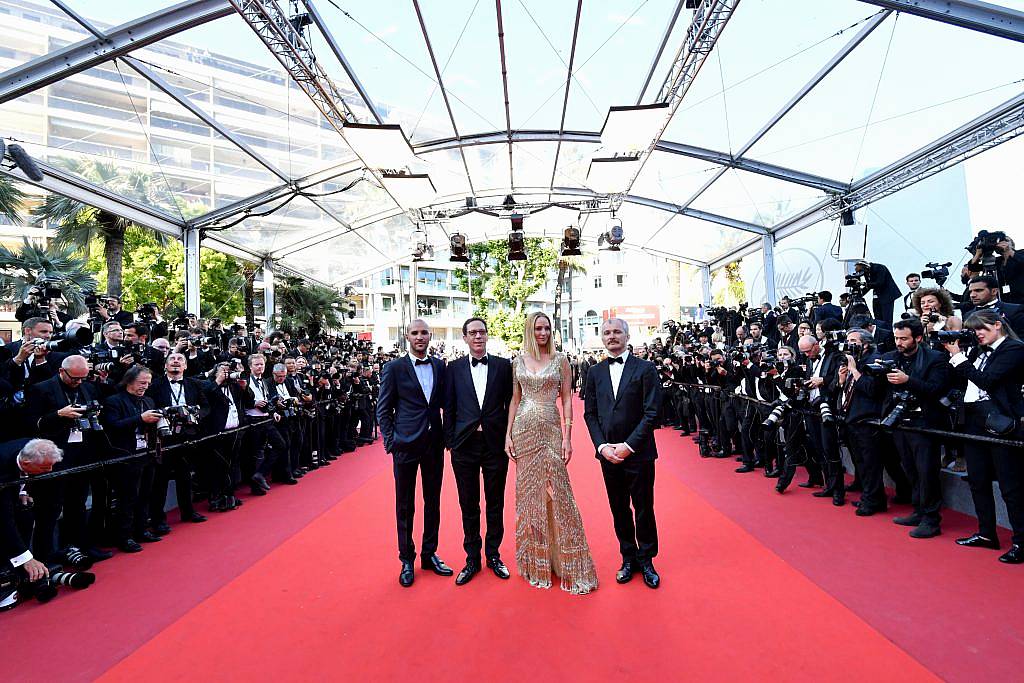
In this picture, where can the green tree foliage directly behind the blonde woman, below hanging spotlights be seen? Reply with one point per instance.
(507, 284)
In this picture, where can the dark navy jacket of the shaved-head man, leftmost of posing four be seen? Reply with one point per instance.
(405, 415)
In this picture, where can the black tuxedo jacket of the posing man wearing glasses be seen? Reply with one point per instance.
(463, 413)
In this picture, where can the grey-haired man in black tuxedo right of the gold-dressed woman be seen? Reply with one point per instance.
(621, 410)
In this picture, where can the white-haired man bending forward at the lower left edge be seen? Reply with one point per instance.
(22, 459)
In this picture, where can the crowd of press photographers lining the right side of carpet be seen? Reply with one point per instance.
(788, 388)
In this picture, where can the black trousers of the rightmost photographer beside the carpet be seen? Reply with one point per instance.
(988, 463)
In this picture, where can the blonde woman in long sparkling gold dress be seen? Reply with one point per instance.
(549, 534)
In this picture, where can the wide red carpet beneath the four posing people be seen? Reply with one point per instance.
(304, 585)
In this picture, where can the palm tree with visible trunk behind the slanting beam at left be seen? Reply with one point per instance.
(77, 225)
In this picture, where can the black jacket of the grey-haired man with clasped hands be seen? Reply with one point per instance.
(632, 415)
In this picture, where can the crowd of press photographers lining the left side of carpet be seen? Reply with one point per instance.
(101, 414)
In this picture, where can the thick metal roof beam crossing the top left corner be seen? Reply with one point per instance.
(119, 41)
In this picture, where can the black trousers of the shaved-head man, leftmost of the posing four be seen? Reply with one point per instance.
(430, 460)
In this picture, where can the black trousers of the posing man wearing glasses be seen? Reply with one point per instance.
(470, 462)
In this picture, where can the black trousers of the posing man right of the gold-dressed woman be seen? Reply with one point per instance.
(636, 530)
